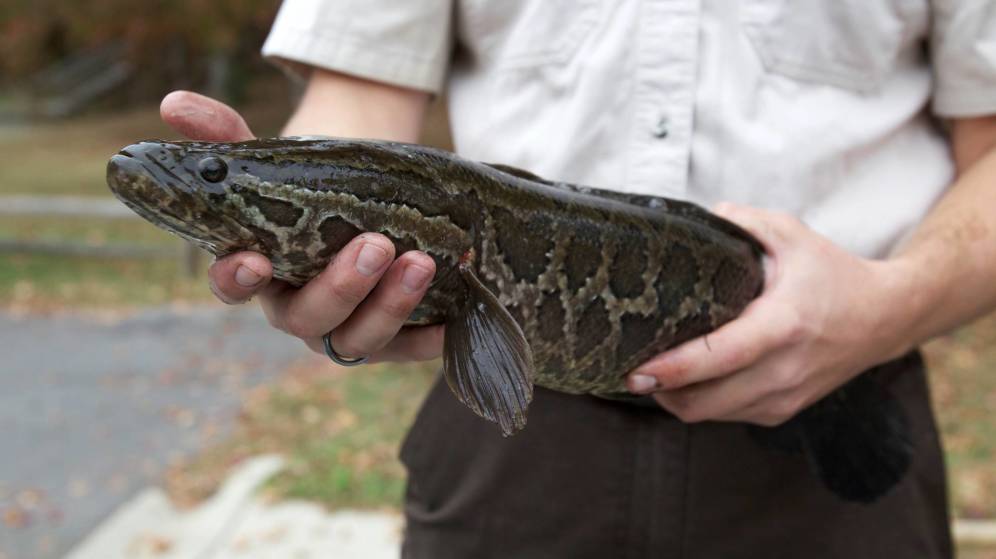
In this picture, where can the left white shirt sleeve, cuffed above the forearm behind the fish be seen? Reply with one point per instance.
(405, 43)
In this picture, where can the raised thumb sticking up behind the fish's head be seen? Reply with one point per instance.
(203, 118)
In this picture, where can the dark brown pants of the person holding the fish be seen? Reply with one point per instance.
(602, 479)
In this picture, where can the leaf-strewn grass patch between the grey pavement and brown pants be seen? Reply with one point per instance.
(339, 428)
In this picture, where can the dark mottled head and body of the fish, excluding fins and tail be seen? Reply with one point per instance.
(598, 281)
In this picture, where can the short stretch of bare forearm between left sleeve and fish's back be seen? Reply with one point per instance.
(338, 105)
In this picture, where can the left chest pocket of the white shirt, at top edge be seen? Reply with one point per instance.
(521, 34)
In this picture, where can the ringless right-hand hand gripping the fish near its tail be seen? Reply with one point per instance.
(825, 315)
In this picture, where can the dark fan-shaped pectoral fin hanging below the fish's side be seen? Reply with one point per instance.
(486, 359)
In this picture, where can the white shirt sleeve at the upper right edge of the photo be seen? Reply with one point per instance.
(963, 53)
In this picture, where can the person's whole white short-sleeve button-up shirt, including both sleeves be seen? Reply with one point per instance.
(823, 109)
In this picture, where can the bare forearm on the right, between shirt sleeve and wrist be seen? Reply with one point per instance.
(945, 273)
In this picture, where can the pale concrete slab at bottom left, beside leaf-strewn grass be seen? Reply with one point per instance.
(235, 523)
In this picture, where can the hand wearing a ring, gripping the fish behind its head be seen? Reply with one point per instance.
(364, 295)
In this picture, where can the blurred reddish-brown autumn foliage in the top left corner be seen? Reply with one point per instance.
(170, 41)
